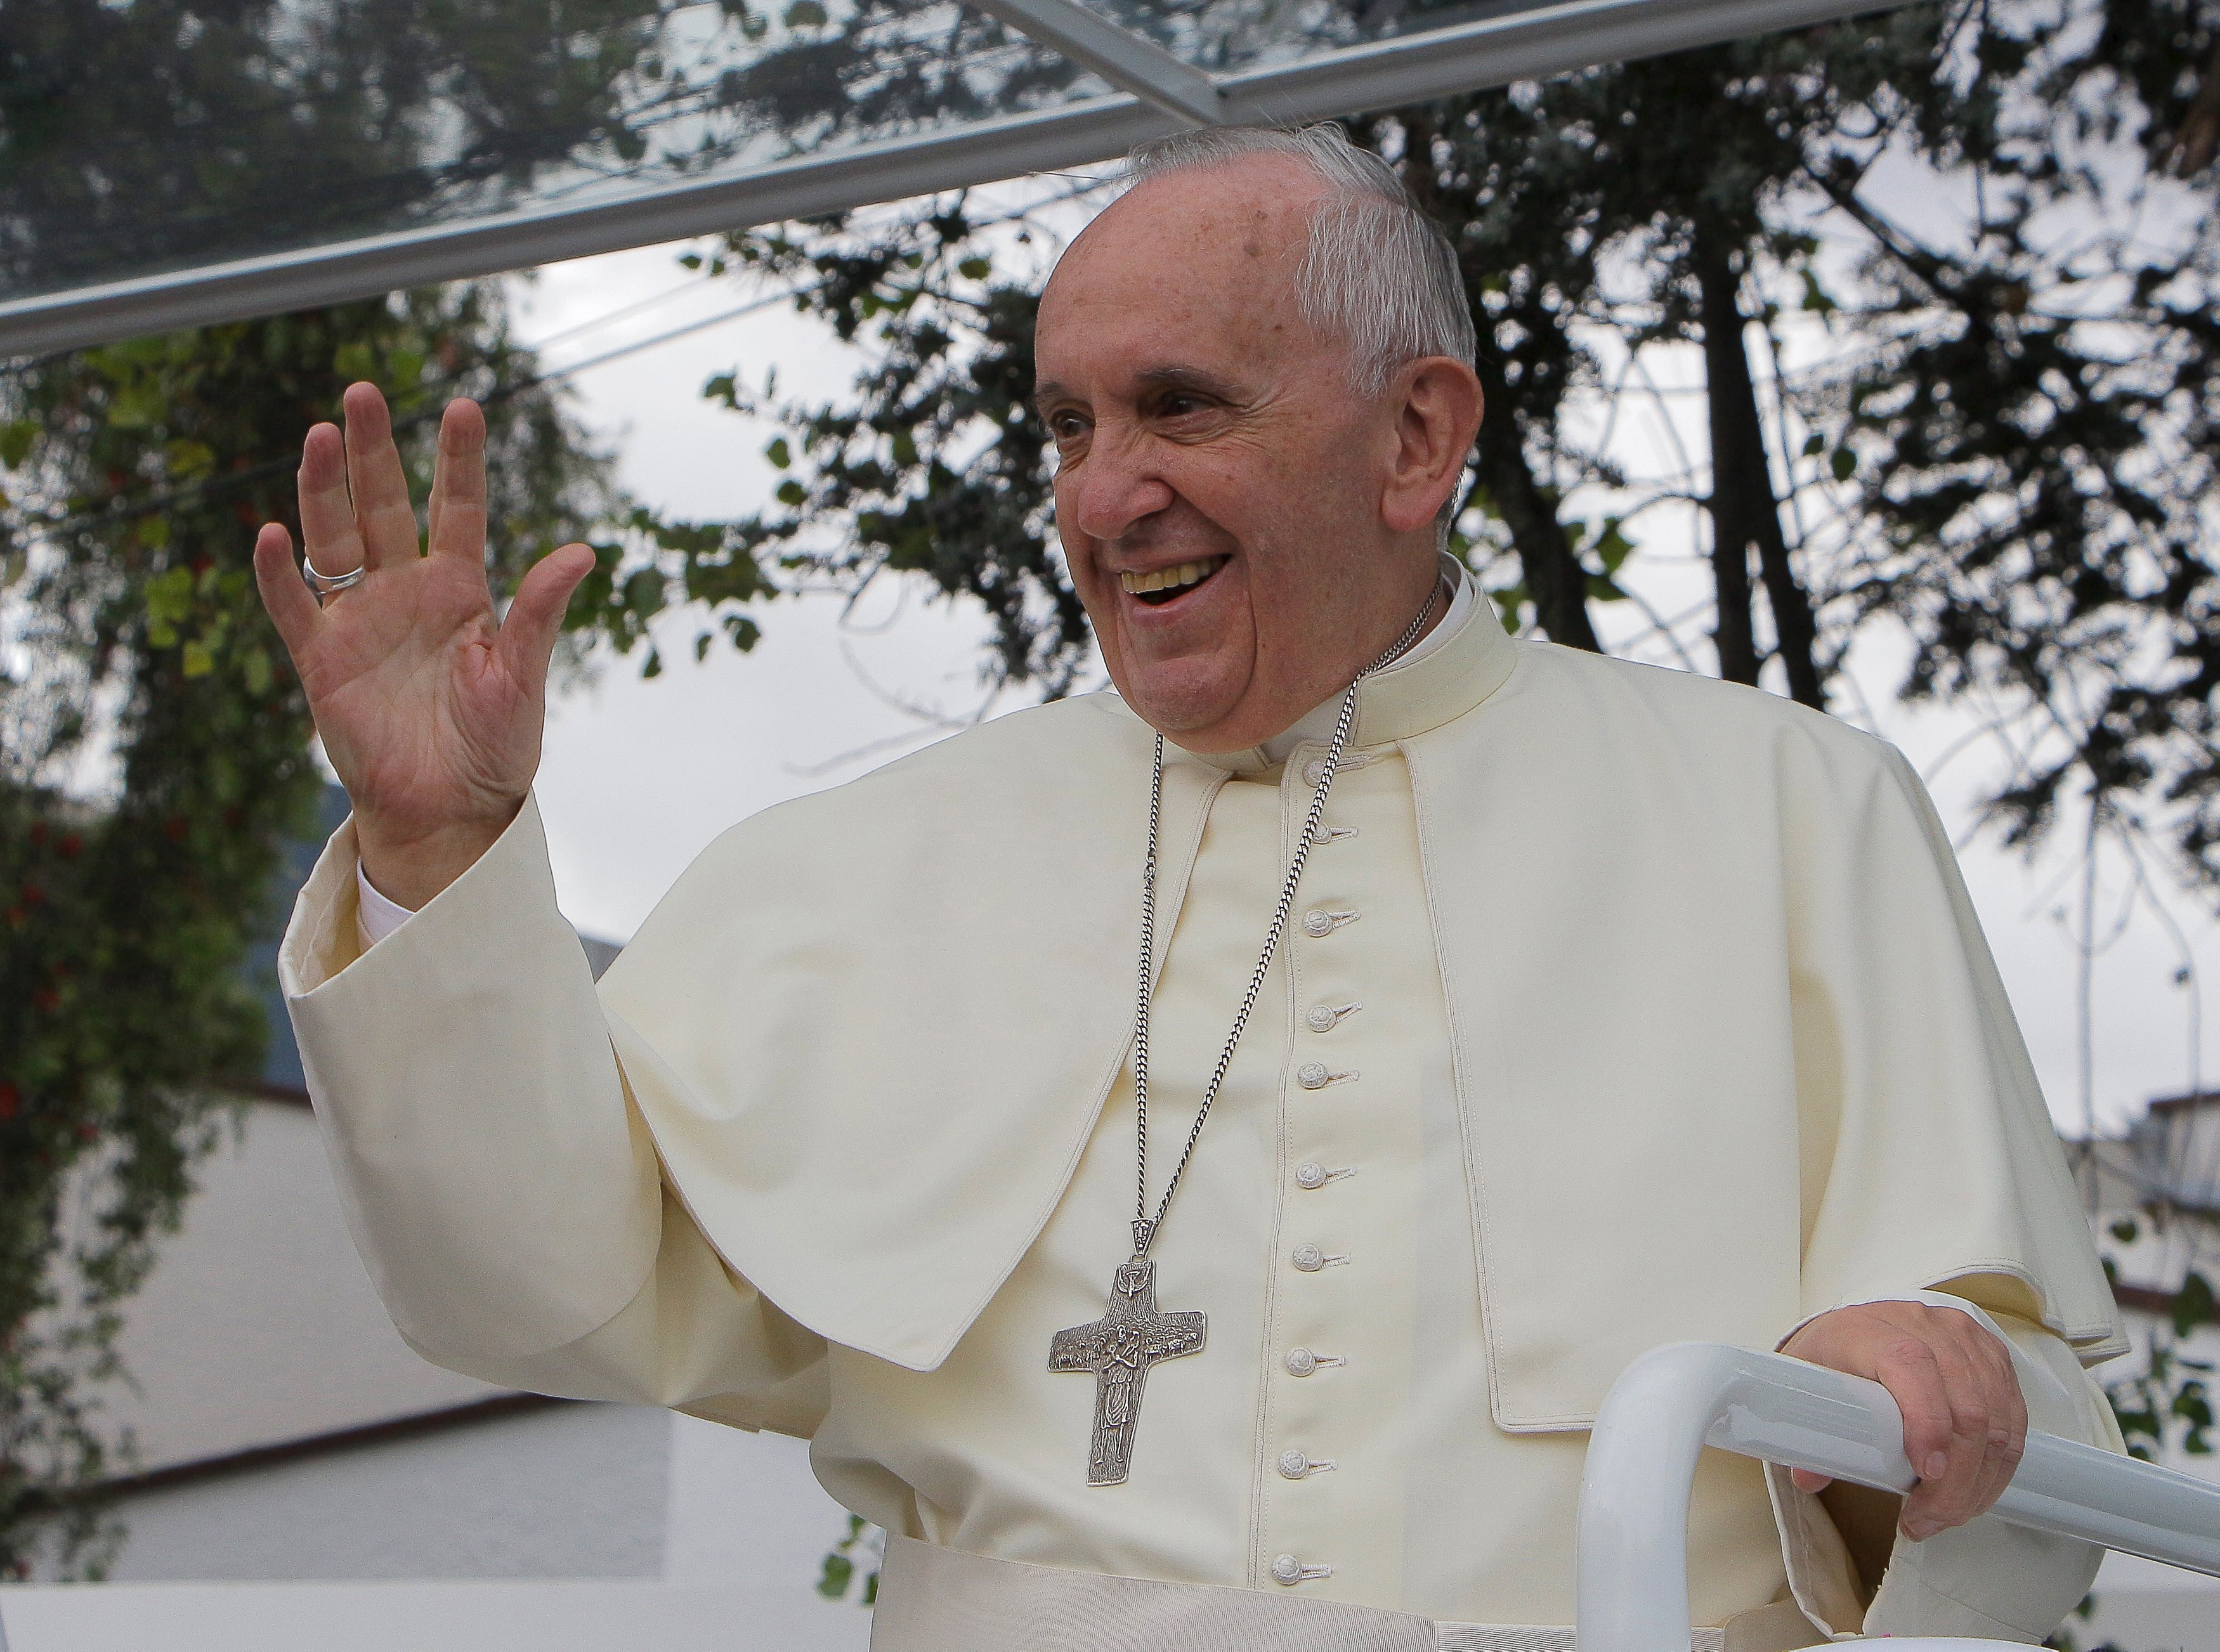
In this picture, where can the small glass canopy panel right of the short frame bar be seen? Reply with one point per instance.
(1238, 37)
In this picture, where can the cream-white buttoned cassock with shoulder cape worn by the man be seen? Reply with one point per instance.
(1622, 1007)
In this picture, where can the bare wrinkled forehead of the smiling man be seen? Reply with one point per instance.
(1207, 256)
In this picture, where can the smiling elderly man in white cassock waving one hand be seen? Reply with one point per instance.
(1506, 1011)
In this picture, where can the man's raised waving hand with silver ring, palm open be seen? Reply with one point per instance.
(430, 709)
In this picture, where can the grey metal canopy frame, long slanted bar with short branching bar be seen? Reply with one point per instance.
(1491, 52)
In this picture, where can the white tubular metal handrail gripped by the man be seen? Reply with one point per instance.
(1677, 1400)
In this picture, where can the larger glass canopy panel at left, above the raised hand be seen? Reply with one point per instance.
(150, 137)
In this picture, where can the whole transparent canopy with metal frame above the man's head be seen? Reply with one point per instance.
(174, 163)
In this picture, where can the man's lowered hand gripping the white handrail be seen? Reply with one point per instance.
(1966, 1422)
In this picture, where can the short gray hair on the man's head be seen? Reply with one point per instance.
(1378, 274)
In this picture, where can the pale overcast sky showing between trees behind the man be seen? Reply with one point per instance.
(640, 776)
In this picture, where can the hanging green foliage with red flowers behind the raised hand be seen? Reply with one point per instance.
(154, 752)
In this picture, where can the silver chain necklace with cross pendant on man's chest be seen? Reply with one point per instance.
(1133, 1336)
